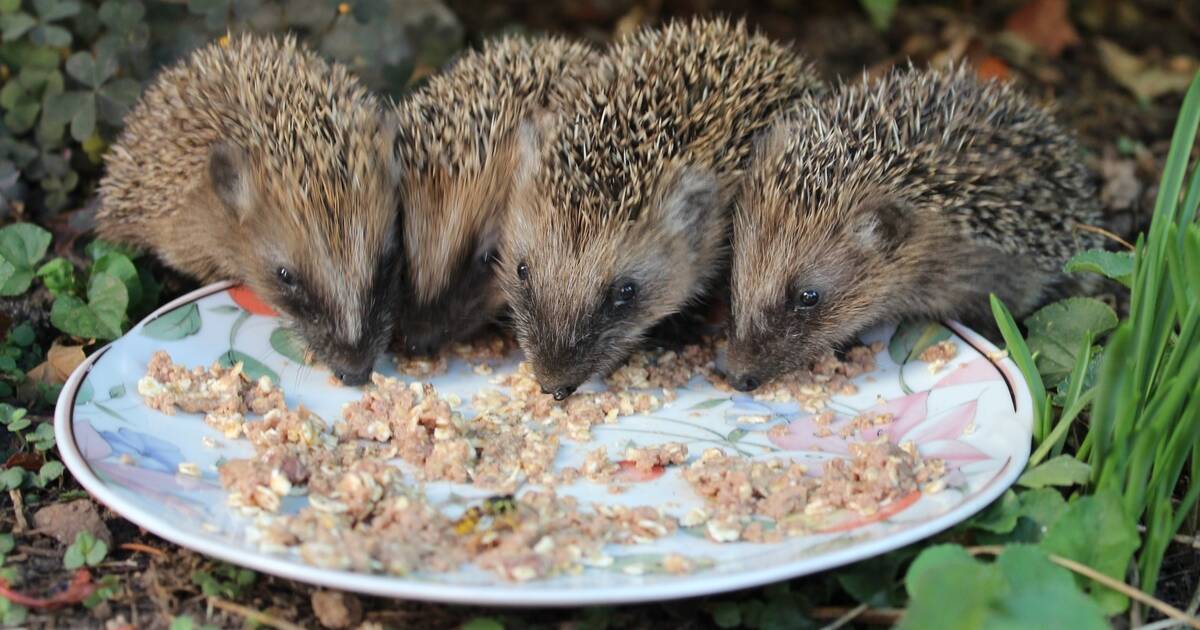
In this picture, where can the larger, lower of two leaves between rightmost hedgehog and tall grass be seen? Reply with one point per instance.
(1057, 334)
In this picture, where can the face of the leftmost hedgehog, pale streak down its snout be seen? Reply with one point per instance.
(325, 261)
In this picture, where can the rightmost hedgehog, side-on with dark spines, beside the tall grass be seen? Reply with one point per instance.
(911, 196)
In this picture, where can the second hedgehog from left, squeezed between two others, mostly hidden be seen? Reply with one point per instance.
(457, 151)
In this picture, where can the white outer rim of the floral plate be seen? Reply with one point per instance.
(529, 595)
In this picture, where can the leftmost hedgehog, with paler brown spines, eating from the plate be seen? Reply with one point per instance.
(255, 161)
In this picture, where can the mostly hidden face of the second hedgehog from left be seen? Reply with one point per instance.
(452, 233)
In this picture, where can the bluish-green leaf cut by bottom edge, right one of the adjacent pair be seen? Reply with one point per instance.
(1043, 595)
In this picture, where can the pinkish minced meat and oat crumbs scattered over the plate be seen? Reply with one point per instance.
(364, 517)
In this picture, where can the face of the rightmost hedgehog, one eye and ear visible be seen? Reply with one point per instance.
(807, 285)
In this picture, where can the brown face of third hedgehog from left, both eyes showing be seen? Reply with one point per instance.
(584, 296)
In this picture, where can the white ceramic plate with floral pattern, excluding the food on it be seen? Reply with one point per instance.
(976, 413)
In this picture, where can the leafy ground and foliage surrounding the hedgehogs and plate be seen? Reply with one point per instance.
(71, 69)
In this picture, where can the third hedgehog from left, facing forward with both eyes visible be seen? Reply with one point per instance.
(620, 214)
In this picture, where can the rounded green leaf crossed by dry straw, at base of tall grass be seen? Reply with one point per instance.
(1108, 548)
